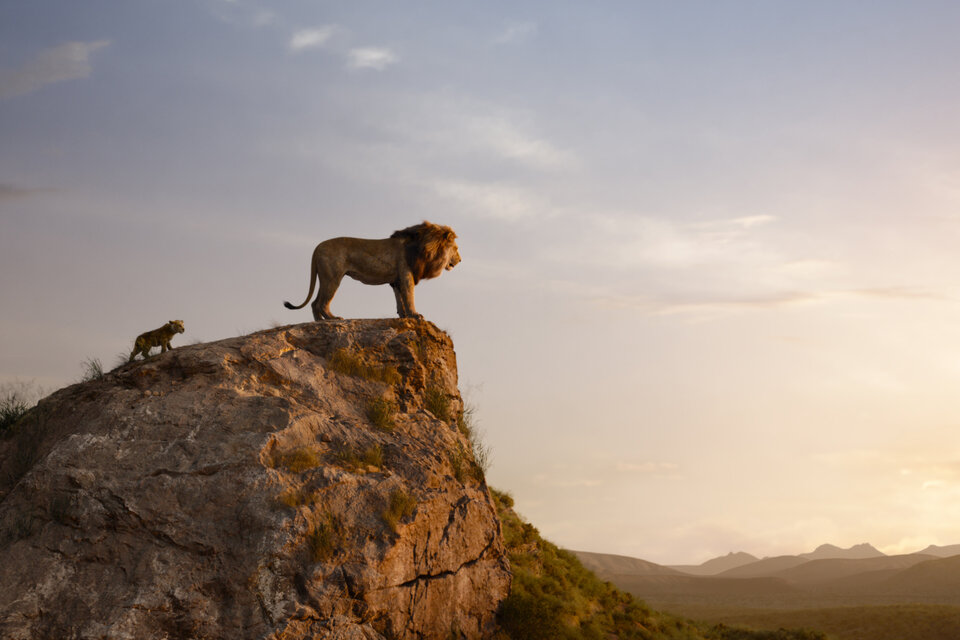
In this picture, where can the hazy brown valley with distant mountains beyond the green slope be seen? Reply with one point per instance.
(848, 593)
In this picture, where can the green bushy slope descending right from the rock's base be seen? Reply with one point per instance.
(553, 597)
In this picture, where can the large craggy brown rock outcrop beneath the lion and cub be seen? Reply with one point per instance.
(308, 481)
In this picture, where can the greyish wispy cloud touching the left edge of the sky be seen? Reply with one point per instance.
(68, 61)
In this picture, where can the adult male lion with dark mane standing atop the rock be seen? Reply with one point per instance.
(408, 256)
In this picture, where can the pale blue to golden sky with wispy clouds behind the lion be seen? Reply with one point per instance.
(708, 299)
